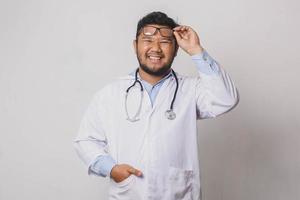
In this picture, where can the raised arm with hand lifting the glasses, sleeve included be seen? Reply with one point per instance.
(215, 91)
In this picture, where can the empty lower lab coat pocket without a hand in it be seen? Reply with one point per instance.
(180, 184)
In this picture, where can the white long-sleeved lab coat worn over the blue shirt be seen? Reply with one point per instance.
(166, 151)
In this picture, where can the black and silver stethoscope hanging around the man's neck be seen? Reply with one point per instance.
(170, 114)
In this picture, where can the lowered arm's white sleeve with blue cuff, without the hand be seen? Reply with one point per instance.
(91, 143)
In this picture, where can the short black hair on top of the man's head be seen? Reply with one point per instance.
(156, 17)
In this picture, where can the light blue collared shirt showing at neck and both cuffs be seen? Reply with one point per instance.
(103, 165)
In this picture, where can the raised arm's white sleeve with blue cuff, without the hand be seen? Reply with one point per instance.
(215, 91)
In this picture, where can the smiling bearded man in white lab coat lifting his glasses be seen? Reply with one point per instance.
(141, 130)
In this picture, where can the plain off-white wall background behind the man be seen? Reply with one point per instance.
(54, 55)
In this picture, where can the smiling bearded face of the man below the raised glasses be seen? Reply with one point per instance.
(155, 53)
